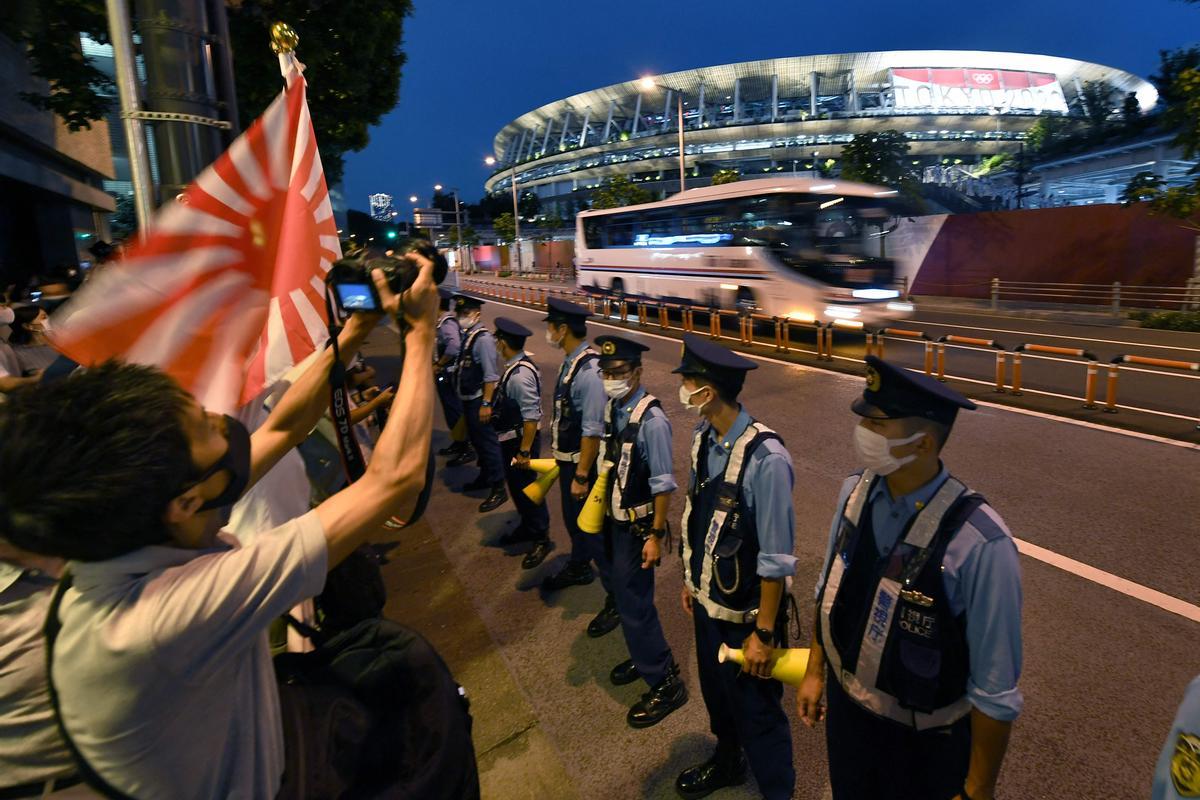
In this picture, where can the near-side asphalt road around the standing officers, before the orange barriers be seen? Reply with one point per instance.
(1105, 667)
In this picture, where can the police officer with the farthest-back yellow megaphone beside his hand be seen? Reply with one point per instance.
(517, 417)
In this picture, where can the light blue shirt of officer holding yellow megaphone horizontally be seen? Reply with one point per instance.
(769, 495)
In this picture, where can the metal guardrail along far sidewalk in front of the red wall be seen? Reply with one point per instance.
(1113, 297)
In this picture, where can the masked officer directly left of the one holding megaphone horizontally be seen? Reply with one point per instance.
(638, 454)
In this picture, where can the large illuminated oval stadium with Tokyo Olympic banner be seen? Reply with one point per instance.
(794, 115)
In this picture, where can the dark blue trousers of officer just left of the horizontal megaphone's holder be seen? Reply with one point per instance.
(634, 591)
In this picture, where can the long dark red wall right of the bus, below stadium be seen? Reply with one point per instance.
(1097, 244)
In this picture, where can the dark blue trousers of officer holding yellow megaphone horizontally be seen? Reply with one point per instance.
(745, 712)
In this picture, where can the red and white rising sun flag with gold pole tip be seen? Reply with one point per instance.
(227, 292)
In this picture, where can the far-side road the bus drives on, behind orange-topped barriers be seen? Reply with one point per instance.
(1163, 402)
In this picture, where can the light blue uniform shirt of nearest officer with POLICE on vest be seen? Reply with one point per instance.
(982, 576)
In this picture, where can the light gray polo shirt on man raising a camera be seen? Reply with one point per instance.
(164, 669)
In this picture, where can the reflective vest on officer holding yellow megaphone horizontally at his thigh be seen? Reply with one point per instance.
(721, 540)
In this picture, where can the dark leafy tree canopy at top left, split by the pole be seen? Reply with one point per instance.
(353, 69)
